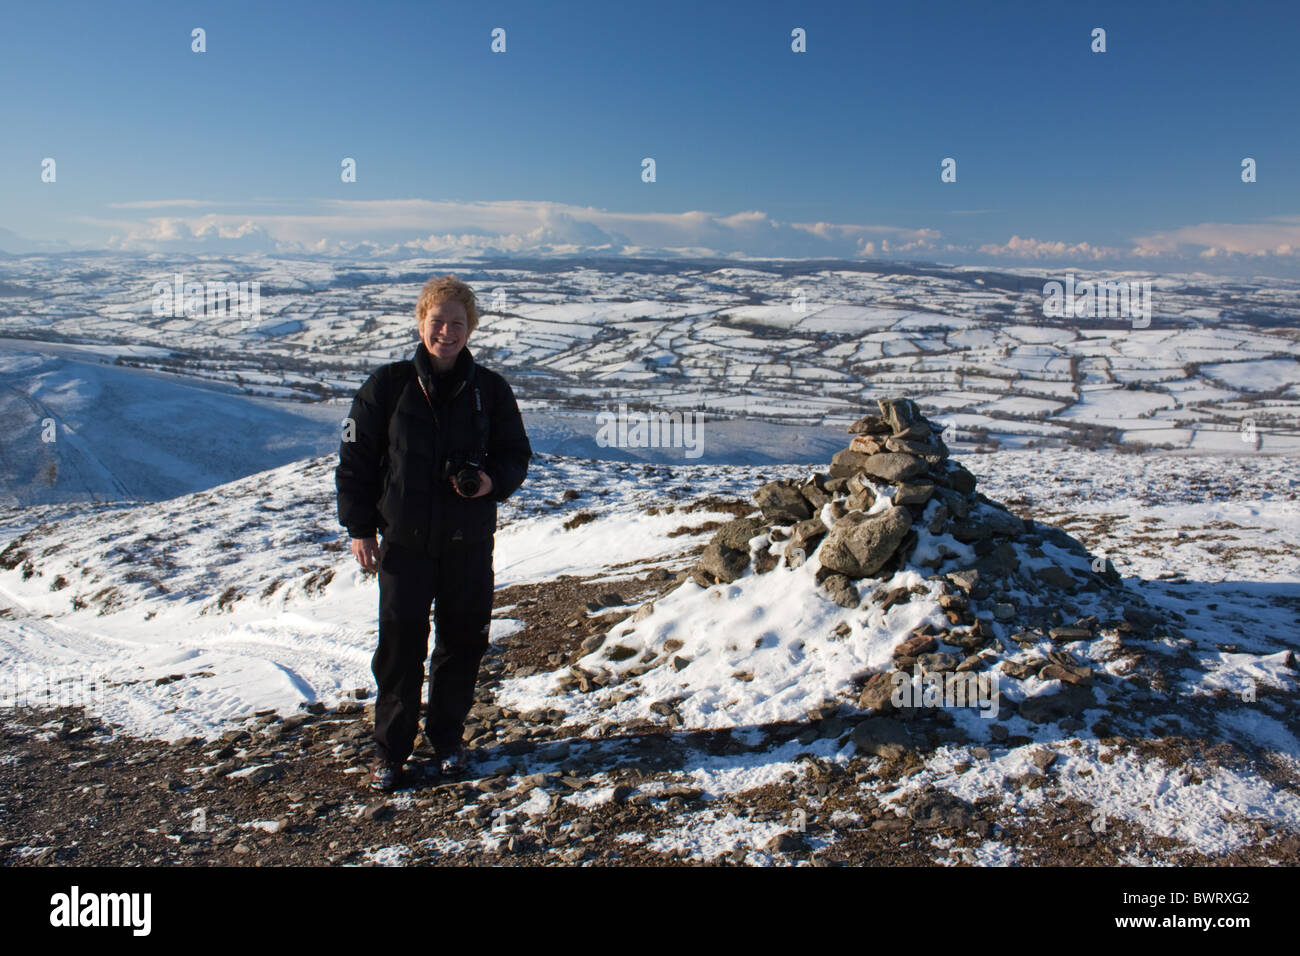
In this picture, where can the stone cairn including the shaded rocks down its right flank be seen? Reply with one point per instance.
(902, 456)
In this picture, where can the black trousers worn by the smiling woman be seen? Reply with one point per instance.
(460, 586)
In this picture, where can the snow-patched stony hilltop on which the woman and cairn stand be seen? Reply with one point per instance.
(181, 620)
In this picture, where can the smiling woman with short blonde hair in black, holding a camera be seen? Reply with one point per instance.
(431, 447)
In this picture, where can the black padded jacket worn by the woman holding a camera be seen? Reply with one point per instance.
(391, 475)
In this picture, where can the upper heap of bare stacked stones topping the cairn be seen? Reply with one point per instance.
(898, 456)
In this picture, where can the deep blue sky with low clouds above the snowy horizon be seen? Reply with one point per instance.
(1126, 158)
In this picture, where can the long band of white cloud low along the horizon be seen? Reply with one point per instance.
(519, 227)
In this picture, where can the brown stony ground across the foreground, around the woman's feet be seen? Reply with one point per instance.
(289, 789)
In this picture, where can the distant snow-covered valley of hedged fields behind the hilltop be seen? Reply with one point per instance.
(1216, 370)
